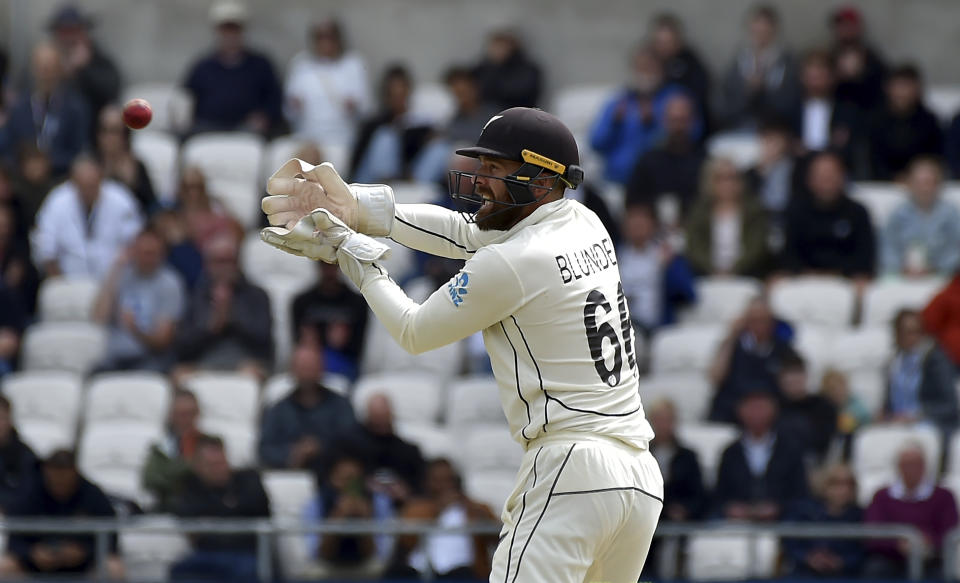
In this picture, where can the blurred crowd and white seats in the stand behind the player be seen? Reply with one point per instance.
(788, 234)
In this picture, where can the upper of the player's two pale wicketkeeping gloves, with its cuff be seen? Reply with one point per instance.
(298, 188)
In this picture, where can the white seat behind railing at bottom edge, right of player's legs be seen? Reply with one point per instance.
(725, 556)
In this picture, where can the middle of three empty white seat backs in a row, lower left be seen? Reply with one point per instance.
(128, 396)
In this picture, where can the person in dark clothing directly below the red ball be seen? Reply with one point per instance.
(119, 162)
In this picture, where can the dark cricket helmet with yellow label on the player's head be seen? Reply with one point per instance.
(530, 135)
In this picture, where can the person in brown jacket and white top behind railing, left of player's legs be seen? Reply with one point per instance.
(455, 556)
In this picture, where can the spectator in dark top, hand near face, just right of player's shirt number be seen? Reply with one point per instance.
(747, 360)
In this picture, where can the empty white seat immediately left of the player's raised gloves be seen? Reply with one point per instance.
(231, 165)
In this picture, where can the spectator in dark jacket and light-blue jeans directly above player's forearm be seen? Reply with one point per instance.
(389, 144)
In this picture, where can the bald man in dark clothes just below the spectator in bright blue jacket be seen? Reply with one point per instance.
(672, 167)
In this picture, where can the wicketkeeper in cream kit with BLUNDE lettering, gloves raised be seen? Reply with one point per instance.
(542, 283)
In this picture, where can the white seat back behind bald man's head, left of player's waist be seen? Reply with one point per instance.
(416, 397)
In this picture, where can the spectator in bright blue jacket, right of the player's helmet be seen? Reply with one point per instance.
(633, 121)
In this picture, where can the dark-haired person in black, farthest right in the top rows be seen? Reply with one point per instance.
(904, 128)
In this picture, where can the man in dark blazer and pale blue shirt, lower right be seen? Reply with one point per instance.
(760, 475)
